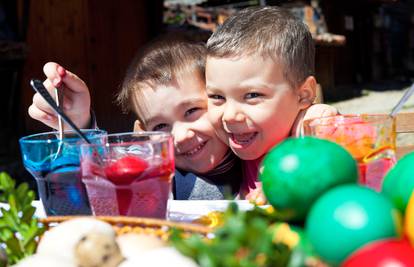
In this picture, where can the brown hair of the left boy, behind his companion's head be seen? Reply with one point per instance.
(159, 65)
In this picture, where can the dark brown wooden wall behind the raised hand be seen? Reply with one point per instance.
(93, 38)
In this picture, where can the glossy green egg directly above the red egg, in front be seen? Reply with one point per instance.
(348, 217)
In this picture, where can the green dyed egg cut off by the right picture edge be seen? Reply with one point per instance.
(399, 182)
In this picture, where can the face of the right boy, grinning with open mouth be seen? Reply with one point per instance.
(251, 105)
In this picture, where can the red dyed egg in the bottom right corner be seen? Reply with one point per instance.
(384, 253)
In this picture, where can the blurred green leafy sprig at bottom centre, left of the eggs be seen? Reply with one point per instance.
(244, 240)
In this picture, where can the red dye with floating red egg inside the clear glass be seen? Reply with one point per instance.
(129, 186)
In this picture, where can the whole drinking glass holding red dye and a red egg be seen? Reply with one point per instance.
(130, 174)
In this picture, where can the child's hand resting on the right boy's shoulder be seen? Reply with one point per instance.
(314, 111)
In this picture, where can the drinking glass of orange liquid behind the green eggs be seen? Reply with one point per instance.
(370, 138)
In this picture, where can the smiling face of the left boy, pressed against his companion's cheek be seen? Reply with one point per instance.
(181, 108)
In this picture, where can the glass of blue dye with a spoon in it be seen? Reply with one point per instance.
(55, 165)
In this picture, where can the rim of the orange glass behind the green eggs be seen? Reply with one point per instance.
(326, 121)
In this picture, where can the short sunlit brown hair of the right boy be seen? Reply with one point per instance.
(270, 32)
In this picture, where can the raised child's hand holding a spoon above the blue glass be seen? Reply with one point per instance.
(76, 101)
